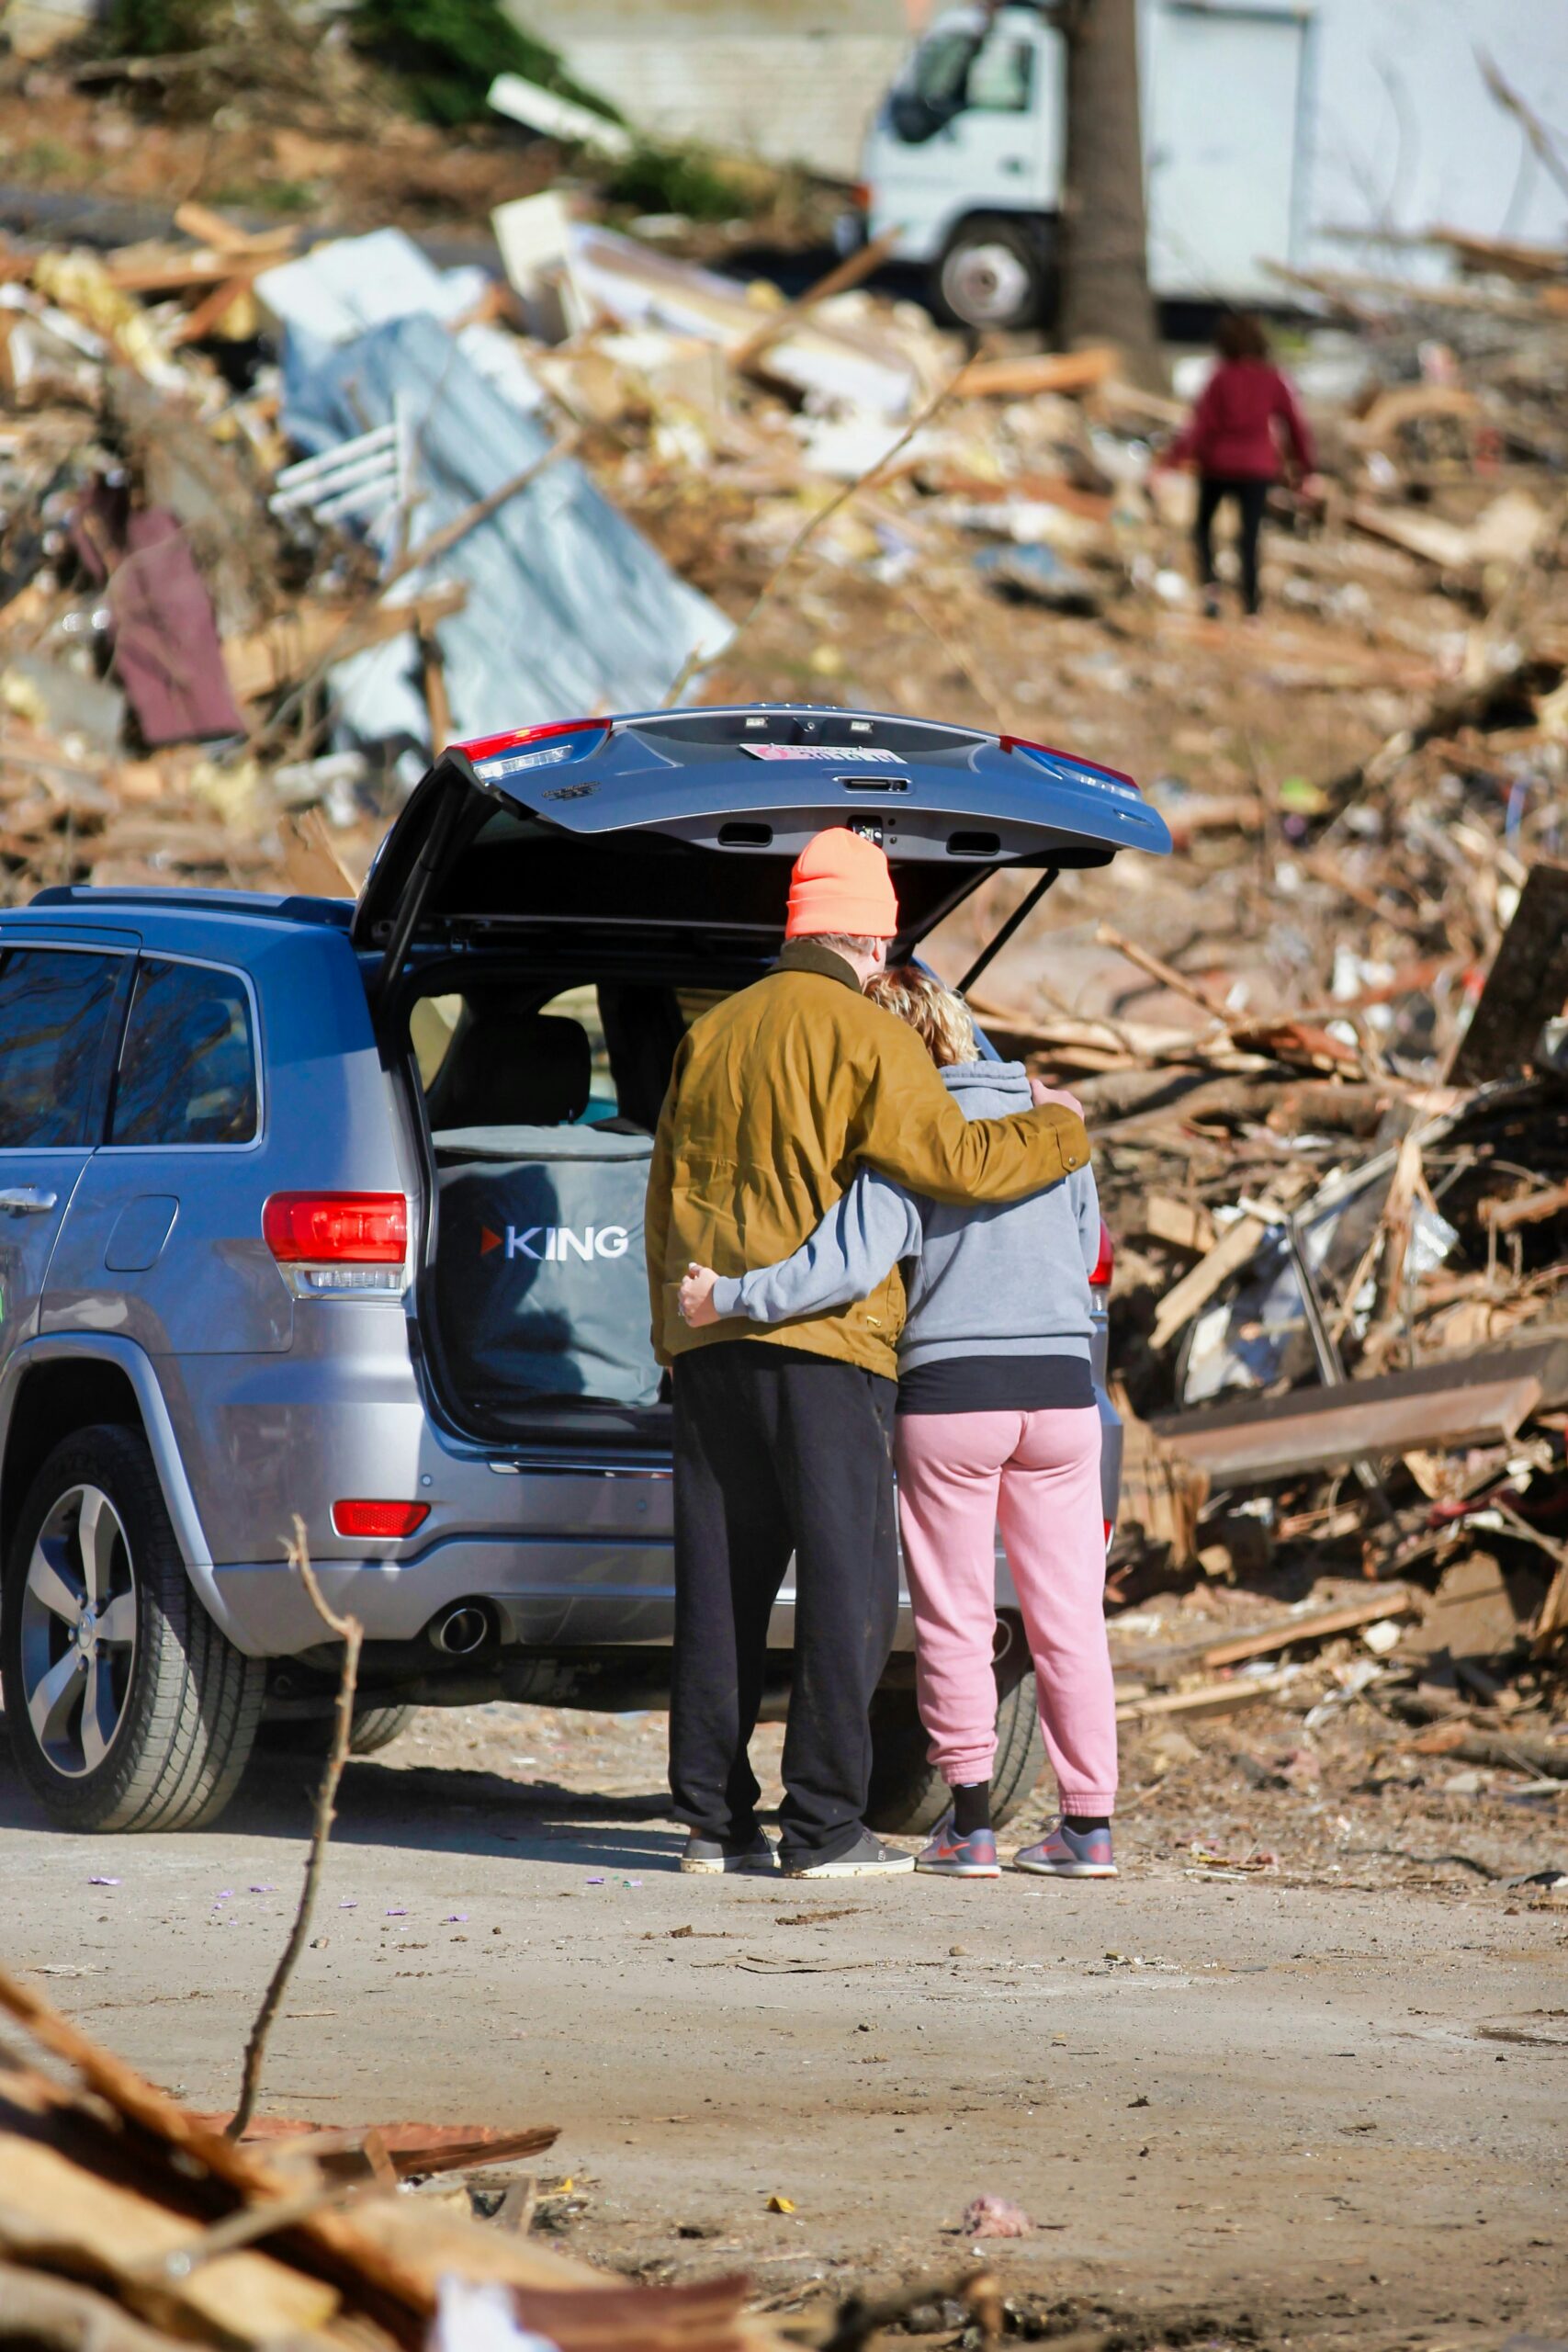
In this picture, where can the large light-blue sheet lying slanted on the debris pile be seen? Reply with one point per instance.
(570, 610)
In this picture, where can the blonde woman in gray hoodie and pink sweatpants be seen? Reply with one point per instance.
(998, 1426)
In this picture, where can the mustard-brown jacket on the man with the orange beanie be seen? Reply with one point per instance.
(775, 1100)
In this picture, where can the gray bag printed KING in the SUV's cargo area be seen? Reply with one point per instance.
(542, 1264)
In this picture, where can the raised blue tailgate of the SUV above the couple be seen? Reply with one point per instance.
(688, 822)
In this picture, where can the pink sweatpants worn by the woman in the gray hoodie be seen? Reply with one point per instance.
(1036, 1478)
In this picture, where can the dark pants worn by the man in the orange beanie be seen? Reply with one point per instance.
(779, 1452)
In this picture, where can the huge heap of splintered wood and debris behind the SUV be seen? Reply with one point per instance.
(264, 505)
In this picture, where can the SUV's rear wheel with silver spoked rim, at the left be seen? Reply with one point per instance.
(182, 1706)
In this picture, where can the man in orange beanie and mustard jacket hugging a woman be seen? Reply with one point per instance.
(784, 1436)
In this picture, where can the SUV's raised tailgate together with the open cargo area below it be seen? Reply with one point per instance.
(648, 857)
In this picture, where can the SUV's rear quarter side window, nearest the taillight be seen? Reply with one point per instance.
(189, 1064)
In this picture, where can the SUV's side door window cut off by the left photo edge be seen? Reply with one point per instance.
(55, 1013)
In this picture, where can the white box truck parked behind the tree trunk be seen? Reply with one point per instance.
(965, 154)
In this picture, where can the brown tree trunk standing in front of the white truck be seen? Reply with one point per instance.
(1106, 272)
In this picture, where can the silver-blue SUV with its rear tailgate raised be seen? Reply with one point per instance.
(337, 1210)
